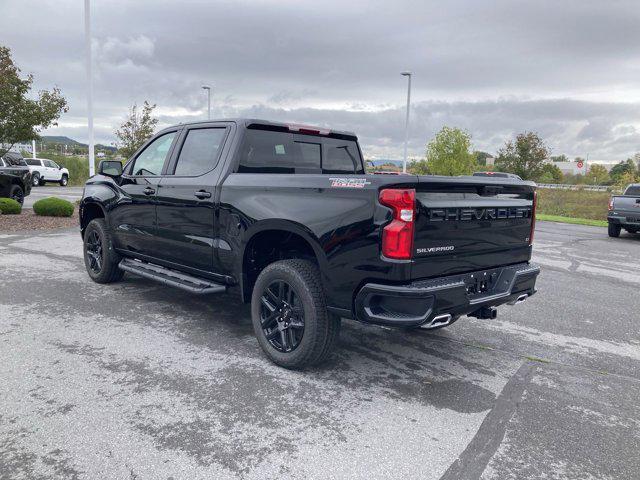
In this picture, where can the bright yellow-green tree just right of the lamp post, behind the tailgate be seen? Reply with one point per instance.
(449, 153)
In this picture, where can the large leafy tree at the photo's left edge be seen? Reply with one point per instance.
(21, 118)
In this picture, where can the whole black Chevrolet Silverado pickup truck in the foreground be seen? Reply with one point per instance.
(286, 216)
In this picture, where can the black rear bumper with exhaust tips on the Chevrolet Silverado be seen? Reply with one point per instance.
(420, 302)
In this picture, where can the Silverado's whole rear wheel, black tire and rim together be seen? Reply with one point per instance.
(290, 317)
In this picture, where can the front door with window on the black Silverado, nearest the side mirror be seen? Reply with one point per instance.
(133, 218)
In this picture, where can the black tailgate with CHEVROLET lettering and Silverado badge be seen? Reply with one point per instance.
(470, 224)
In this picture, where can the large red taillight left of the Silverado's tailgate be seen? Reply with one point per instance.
(397, 237)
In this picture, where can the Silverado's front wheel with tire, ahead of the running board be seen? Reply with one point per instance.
(100, 259)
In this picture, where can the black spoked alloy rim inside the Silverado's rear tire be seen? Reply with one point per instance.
(282, 316)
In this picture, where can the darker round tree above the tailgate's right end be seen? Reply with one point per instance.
(524, 157)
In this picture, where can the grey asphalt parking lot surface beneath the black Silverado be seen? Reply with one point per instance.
(135, 380)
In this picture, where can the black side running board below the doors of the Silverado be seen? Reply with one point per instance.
(170, 277)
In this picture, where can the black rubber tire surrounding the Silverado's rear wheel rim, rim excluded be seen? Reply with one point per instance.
(321, 328)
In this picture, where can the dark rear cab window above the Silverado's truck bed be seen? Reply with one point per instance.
(273, 149)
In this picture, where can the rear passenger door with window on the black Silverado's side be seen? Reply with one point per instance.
(186, 199)
